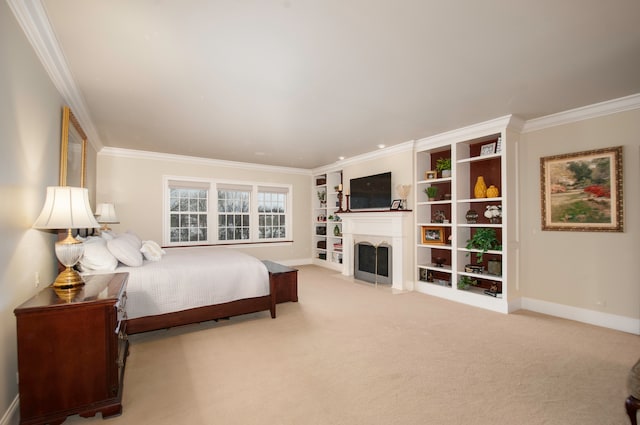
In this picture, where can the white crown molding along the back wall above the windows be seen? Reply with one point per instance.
(158, 156)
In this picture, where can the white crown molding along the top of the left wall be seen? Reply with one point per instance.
(33, 20)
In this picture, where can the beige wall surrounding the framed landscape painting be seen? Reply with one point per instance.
(586, 270)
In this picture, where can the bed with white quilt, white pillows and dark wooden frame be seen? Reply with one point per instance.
(178, 286)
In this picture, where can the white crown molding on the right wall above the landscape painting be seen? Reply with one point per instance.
(596, 110)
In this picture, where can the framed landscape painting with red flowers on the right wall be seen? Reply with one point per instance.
(582, 191)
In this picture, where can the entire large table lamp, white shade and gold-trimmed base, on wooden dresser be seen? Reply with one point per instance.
(67, 208)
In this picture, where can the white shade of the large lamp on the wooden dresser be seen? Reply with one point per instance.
(66, 207)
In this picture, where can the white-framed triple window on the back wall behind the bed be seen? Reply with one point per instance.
(199, 212)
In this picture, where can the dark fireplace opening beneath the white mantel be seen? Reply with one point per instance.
(373, 263)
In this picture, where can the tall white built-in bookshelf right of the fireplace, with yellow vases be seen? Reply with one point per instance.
(445, 265)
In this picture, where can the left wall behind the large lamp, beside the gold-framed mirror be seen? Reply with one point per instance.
(30, 126)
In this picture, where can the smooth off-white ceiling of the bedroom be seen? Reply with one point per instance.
(299, 83)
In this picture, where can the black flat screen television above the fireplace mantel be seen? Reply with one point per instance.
(371, 192)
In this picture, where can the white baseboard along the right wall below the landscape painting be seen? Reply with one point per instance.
(592, 317)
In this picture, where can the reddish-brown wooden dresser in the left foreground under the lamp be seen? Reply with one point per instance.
(72, 354)
